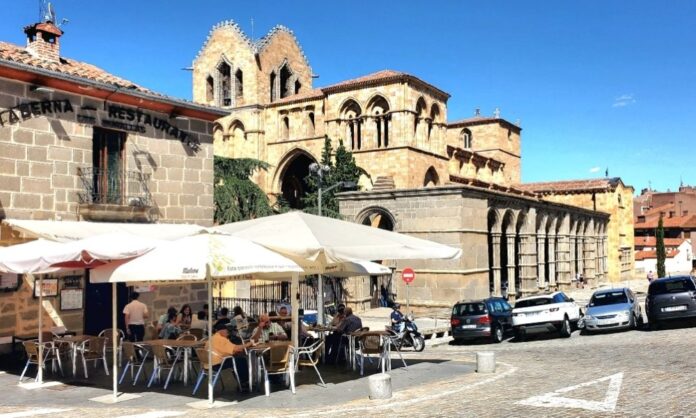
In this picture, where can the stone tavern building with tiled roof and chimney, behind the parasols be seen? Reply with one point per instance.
(78, 143)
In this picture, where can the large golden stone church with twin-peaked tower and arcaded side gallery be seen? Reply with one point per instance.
(456, 182)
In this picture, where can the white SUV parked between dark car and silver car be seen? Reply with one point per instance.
(545, 313)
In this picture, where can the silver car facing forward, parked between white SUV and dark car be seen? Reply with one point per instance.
(613, 309)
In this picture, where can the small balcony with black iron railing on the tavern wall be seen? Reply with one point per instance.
(115, 196)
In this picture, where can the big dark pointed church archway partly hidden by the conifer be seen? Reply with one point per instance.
(291, 174)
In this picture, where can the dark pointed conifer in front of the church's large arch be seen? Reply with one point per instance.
(342, 167)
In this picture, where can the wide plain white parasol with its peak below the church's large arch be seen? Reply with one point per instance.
(328, 241)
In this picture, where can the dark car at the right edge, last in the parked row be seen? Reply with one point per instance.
(670, 298)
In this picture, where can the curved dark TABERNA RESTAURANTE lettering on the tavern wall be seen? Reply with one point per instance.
(117, 117)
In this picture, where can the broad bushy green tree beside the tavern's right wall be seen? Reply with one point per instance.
(236, 196)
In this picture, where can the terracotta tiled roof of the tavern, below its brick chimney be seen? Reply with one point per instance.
(17, 54)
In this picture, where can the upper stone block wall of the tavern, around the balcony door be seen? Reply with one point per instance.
(40, 157)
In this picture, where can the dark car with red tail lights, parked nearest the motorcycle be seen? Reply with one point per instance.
(484, 318)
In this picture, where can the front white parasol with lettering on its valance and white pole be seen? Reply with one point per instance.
(197, 258)
